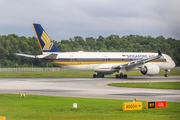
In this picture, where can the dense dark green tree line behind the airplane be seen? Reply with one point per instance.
(10, 44)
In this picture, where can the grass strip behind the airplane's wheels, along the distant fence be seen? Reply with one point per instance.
(69, 74)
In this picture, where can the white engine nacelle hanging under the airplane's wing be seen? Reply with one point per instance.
(150, 69)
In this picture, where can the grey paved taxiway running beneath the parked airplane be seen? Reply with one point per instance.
(91, 88)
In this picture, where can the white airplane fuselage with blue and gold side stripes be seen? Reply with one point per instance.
(103, 61)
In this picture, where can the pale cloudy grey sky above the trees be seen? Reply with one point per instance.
(64, 19)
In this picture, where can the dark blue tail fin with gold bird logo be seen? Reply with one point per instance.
(45, 42)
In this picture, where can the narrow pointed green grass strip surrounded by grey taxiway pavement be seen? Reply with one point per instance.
(155, 85)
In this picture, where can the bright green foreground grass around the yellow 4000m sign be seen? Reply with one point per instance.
(36, 107)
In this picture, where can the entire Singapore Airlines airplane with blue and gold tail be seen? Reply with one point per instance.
(103, 63)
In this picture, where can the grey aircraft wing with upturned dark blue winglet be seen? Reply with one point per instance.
(138, 62)
